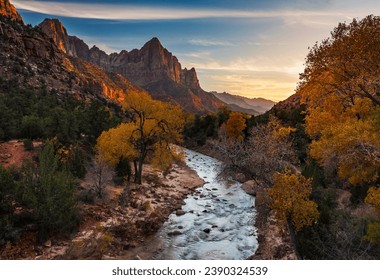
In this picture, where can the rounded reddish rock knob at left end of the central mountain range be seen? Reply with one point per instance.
(57, 32)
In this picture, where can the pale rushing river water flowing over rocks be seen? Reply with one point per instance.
(218, 220)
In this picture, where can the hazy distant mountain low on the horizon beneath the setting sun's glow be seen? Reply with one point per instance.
(258, 105)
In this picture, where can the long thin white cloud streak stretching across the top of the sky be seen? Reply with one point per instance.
(134, 12)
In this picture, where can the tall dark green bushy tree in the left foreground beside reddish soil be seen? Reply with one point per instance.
(49, 192)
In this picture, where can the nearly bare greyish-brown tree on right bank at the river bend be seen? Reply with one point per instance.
(266, 150)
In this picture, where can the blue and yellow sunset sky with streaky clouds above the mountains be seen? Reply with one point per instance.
(253, 48)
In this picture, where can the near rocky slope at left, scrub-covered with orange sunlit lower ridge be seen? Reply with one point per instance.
(30, 59)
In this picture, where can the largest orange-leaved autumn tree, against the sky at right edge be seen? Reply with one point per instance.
(341, 87)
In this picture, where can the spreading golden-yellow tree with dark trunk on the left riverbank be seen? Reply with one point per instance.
(152, 127)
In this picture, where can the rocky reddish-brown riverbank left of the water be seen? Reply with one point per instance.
(119, 226)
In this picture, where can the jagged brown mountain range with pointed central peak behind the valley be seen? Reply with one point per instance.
(152, 68)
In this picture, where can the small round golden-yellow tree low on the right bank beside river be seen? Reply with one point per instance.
(290, 200)
